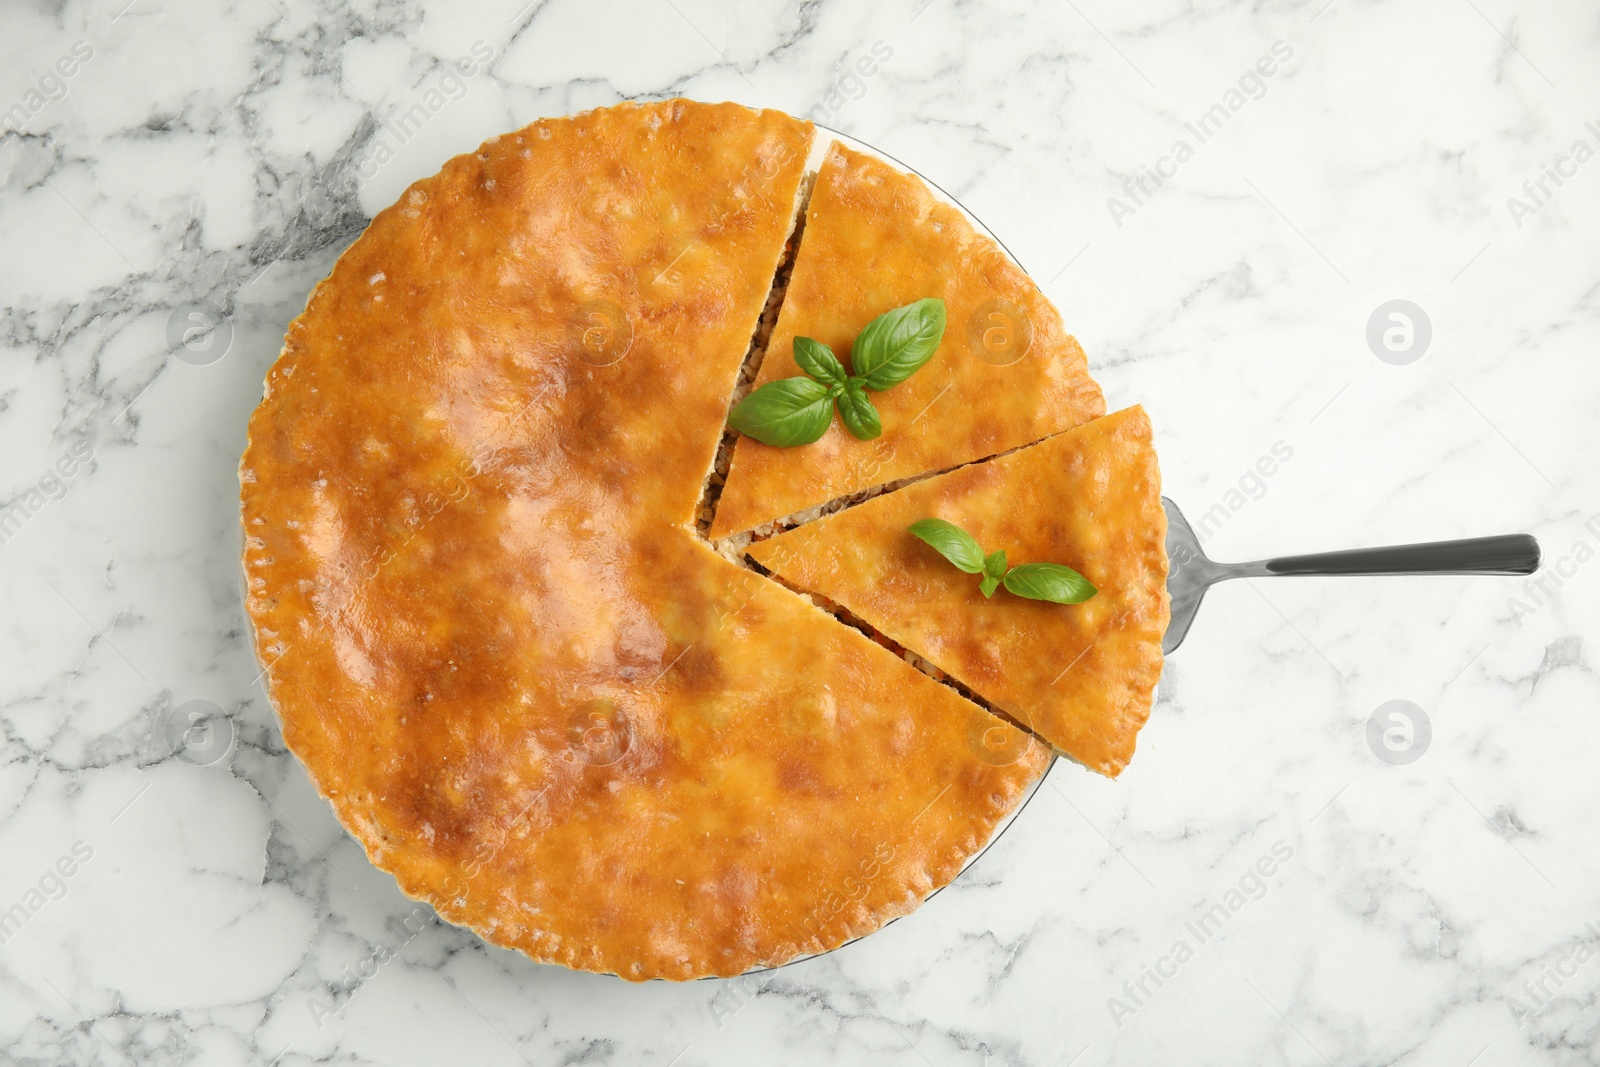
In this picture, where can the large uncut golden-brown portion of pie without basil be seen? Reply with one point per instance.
(492, 634)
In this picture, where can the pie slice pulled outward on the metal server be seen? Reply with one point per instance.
(1079, 676)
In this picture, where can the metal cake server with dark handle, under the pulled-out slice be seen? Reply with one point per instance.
(1191, 573)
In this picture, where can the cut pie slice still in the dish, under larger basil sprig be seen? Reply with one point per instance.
(1006, 375)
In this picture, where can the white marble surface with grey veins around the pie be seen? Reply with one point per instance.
(1258, 887)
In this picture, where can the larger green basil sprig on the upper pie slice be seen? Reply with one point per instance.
(799, 410)
